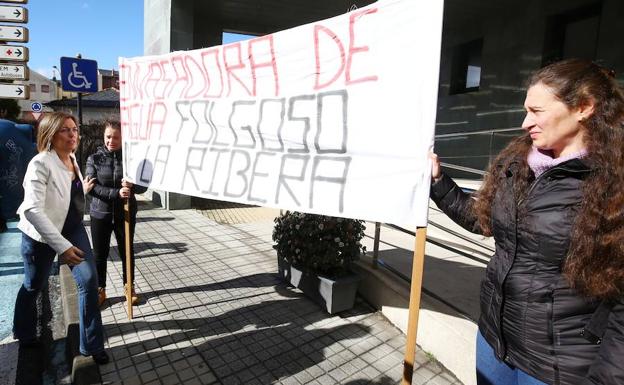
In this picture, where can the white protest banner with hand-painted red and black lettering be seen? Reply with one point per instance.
(334, 117)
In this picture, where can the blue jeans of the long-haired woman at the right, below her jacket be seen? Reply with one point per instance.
(492, 371)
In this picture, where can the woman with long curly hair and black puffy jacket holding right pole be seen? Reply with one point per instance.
(552, 306)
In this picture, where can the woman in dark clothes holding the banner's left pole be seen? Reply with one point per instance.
(107, 206)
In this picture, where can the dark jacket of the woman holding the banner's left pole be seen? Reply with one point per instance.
(106, 167)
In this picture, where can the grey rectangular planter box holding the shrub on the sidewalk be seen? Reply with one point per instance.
(335, 295)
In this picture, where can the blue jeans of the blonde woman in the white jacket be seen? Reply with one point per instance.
(38, 258)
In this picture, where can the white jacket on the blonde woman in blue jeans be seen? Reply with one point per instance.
(47, 195)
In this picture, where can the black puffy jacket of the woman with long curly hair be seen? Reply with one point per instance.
(529, 314)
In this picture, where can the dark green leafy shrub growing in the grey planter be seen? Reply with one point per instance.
(318, 243)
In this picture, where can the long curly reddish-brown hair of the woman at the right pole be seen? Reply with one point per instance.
(595, 262)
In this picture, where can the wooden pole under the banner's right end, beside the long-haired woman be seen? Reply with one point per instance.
(414, 308)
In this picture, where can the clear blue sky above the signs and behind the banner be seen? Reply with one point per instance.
(101, 30)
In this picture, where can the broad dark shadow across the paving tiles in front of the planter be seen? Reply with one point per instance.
(263, 341)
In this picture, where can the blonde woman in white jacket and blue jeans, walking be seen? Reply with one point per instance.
(51, 222)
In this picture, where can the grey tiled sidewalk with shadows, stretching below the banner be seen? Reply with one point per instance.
(214, 312)
